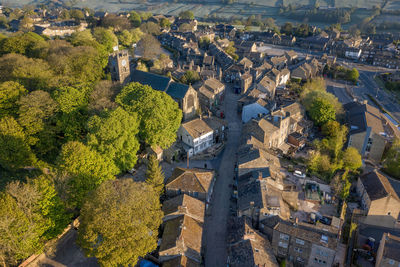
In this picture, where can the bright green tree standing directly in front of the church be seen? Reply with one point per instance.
(159, 115)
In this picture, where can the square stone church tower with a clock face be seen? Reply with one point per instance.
(119, 66)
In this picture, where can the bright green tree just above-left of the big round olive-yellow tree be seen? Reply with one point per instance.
(82, 170)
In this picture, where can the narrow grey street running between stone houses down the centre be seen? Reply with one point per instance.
(215, 233)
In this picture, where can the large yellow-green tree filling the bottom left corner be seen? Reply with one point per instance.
(30, 214)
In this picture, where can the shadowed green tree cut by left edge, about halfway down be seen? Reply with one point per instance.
(15, 152)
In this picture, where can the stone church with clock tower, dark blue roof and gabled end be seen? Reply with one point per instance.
(185, 95)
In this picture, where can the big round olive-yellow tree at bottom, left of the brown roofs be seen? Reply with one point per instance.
(119, 223)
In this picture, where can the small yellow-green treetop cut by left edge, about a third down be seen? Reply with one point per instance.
(10, 93)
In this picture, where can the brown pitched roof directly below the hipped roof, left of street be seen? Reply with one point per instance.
(185, 204)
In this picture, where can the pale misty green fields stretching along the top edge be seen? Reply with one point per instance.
(240, 9)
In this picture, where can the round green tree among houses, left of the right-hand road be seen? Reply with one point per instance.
(321, 111)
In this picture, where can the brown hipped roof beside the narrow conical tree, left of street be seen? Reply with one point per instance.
(194, 180)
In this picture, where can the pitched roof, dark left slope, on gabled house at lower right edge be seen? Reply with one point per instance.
(377, 186)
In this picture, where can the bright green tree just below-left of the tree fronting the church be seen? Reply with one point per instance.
(114, 135)
